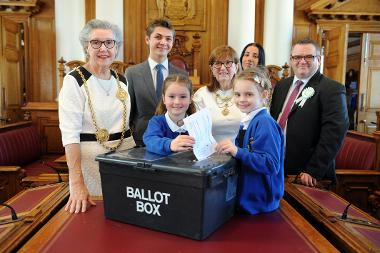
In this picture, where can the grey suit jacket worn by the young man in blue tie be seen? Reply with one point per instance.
(143, 96)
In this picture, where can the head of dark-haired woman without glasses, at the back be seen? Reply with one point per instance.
(252, 55)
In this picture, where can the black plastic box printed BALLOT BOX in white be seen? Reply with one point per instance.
(174, 194)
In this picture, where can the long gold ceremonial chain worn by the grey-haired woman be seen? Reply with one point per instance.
(102, 134)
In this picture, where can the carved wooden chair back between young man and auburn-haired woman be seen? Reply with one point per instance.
(188, 60)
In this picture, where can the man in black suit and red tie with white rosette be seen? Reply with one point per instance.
(316, 122)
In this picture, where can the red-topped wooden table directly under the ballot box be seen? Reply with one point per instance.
(281, 231)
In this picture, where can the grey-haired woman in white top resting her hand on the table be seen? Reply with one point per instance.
(94, 108)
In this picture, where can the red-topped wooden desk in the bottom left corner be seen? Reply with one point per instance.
(34, 207)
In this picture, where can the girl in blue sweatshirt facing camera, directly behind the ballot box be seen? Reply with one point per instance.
(165, 132)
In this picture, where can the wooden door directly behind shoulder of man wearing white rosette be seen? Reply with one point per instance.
(336, 53)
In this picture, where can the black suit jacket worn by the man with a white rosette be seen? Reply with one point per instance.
(316, 131)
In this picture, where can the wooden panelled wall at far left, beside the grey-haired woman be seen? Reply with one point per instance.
(28, 73)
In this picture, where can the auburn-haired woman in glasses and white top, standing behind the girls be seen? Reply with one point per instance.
(217, 96)
